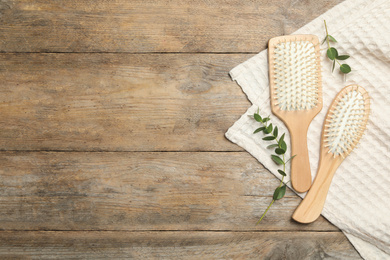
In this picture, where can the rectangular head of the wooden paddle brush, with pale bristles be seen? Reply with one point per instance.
(295, 72)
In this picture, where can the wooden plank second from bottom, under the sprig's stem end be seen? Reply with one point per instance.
(141, 191)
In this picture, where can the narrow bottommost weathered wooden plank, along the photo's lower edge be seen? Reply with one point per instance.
(175, 245)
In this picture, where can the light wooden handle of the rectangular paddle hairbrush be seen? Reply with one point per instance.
(300, 164)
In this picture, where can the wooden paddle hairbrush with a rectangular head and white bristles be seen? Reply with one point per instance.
(296, 95)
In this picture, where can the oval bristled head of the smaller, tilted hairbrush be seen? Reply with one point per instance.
(346, 120)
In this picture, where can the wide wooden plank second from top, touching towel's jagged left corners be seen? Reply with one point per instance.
(118, 102)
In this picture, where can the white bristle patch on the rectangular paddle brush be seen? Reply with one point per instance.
(296, 75)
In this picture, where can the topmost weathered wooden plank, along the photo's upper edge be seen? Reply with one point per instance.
(150, 26)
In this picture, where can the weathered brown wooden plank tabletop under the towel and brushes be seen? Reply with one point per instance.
(112, 122)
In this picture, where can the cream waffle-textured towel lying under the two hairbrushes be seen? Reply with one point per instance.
(358, 198)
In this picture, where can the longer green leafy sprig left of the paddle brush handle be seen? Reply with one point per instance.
(271, 134)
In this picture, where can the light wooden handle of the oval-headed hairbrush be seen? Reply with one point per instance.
(311, 206)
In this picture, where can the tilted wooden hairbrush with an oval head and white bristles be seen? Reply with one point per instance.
(344, 125)
